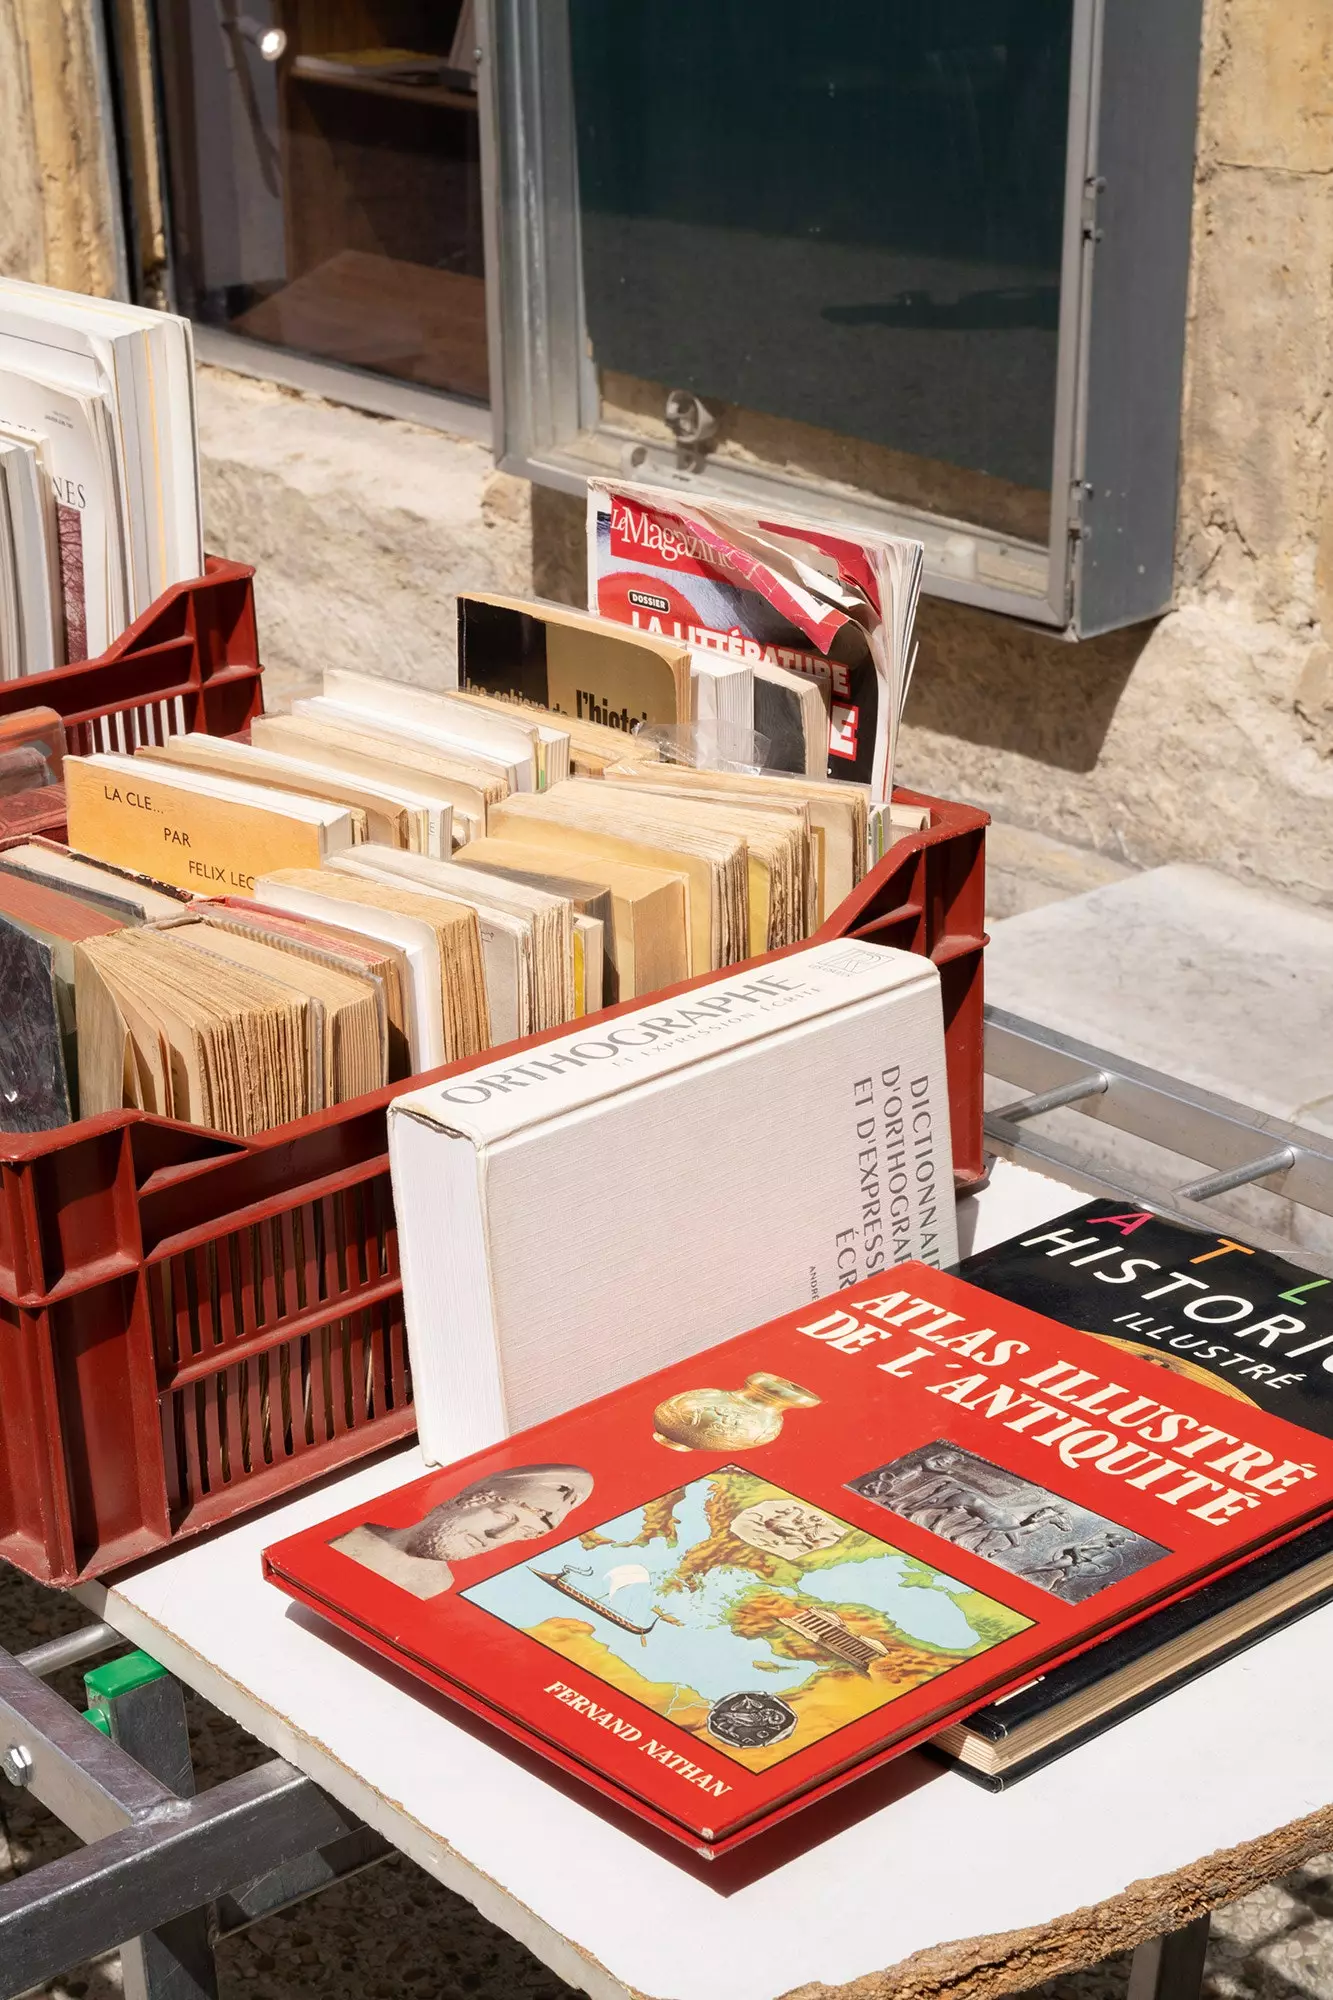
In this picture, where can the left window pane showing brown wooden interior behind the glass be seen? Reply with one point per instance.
(325, 179)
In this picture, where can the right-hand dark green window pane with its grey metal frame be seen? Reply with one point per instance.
(918, 263)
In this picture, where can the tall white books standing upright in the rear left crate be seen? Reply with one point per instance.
(99, 471)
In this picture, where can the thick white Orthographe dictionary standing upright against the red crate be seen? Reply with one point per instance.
(635, 1193)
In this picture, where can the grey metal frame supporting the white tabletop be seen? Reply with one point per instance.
(165, 1875)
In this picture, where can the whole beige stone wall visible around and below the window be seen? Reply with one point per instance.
(1204, 737)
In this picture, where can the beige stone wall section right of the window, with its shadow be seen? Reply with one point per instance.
(1208, 735)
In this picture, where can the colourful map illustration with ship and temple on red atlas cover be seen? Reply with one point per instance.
(746, 1615)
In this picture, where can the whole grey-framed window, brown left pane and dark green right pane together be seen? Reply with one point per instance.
(910, 263)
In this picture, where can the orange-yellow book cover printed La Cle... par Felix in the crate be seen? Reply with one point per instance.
(211, 847)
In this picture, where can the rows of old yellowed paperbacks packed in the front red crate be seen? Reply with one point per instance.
(581, 865)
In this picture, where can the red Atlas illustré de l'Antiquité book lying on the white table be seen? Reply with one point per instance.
(752, 1577)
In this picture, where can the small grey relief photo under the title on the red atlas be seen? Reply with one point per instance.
(1006, 1519)
